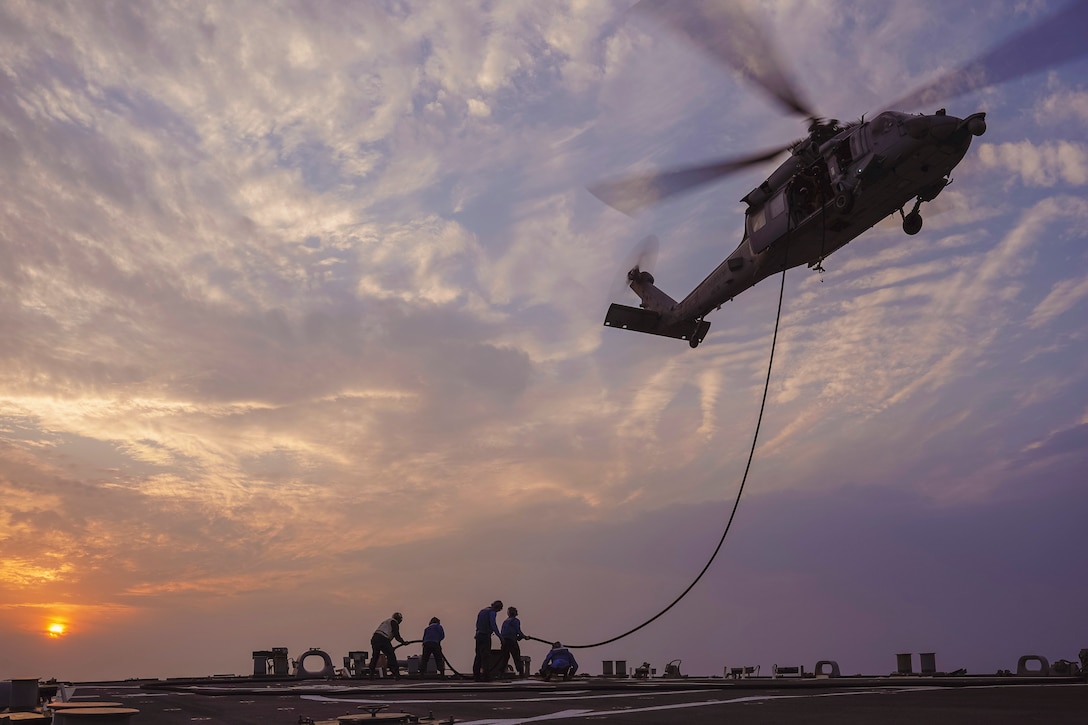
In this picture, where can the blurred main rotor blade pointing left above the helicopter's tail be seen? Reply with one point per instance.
(633, 194)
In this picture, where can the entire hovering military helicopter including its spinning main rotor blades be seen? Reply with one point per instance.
(838, 182)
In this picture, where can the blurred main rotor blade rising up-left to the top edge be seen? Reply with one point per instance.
(731, 34)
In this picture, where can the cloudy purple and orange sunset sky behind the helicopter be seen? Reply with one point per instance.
(302, 323)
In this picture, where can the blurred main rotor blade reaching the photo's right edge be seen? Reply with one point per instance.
(1058, 40)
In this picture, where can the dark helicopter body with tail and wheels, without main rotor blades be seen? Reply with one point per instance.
(837, 183)
